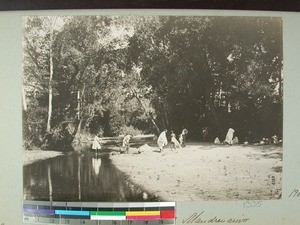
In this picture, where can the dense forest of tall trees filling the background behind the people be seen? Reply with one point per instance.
(112, 75)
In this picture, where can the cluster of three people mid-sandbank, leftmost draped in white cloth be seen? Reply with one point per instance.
(162, 140)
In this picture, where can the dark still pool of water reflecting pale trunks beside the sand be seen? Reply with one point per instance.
(80, 176)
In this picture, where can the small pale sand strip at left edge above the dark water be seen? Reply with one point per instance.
(36, 155)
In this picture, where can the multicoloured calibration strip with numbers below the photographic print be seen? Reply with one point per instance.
(39, 211)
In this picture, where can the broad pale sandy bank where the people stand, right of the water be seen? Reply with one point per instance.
(206, 172)
